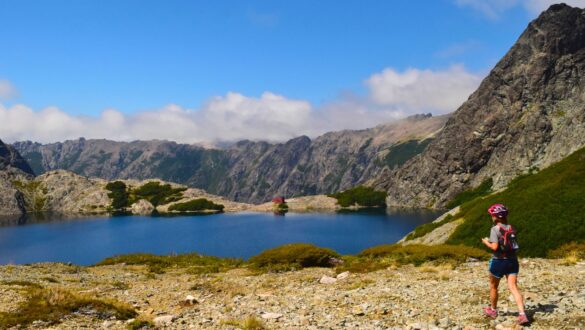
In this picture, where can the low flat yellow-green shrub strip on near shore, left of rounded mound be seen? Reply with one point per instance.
(192, 262)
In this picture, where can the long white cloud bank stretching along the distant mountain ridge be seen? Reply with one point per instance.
(391, 95)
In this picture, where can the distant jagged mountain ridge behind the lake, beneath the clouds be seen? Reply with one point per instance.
(248, 171)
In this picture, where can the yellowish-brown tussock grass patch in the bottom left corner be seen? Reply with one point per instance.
(51, 305)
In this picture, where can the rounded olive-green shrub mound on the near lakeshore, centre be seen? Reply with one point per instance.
(293, 256)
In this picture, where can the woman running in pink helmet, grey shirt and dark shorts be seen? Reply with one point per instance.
(504, 262)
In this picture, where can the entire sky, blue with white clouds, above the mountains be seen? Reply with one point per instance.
(213, 71)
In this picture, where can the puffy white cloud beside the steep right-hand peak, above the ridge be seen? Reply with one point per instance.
(423, 90)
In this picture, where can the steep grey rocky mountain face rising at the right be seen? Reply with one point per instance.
(528, 113)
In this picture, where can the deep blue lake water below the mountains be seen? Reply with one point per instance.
(242, 235)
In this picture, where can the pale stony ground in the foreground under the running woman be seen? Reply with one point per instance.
(426, 297)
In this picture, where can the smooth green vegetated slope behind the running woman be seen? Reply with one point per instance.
(546, 208)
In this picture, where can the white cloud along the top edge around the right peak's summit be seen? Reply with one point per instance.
(494, 8)
